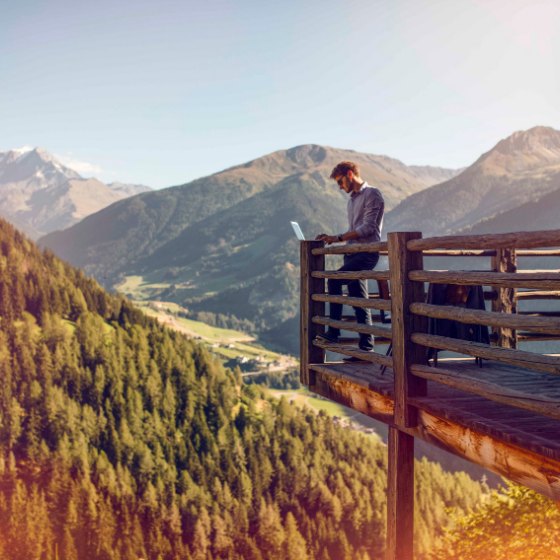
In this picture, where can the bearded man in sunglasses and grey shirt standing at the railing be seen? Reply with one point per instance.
(365, 217)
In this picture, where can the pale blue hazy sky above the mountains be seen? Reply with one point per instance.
(163, 92)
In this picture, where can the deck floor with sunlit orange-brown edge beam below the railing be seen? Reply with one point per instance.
(517, 452)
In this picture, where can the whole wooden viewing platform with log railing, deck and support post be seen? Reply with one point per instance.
(504, 416)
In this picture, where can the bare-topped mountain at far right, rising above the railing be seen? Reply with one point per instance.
(519, 170)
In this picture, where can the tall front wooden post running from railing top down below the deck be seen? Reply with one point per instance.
(400, 477)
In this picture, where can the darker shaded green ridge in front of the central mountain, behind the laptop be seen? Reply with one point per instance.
(244, 260)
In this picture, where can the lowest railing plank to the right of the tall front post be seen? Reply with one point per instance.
(470, 379)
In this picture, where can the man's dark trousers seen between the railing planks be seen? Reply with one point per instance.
(356, 288)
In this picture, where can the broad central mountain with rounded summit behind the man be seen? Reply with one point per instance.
(224, 242)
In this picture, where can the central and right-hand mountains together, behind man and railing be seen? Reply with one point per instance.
(223, 243)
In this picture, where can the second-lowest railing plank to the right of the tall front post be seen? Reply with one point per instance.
(530, 360)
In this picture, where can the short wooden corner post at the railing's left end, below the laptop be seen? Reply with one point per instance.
(309, 353)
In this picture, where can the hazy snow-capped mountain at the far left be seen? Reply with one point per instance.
(38, 194)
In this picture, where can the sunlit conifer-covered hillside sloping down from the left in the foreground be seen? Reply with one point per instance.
(121, 439)
